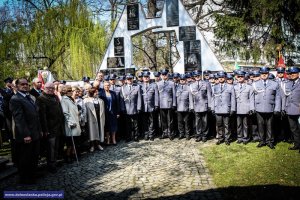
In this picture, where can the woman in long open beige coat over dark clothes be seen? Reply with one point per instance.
(94, 118)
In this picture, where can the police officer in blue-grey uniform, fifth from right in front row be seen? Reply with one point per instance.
(201, 105)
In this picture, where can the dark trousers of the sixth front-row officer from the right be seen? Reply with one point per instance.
(184, 125)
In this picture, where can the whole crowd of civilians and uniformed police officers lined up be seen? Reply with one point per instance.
(59, 119)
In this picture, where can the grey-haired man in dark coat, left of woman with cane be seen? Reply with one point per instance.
(52, 123)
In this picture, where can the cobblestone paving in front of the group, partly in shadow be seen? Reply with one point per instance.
(161, 169)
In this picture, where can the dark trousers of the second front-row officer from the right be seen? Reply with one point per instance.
(264, 122)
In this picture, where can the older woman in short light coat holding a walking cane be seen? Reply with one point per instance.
(72, 126)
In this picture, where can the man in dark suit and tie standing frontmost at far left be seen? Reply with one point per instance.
(27, 131)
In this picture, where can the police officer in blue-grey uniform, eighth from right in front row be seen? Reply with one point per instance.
(150, 104)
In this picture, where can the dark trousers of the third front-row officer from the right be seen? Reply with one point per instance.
(242, 128)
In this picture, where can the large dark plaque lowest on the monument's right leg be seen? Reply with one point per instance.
(192, 55)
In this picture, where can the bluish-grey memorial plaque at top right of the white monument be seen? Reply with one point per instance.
(172, 13)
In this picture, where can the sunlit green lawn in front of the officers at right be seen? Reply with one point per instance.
(247, 165)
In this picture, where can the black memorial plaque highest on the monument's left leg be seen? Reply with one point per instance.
(133, 22)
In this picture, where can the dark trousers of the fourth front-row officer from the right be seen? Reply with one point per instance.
(222, 125)
